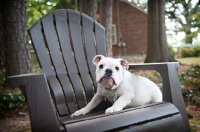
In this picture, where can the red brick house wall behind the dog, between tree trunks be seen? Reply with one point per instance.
(133, 28)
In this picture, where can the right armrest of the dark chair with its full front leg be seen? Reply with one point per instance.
(171, 85)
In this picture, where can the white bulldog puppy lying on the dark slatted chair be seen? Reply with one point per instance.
(119, 86)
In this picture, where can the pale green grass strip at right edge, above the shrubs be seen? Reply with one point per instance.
(189, 60)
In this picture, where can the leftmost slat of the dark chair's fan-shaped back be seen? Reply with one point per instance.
(45, 62)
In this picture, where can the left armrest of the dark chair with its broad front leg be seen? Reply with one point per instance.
(37, 93)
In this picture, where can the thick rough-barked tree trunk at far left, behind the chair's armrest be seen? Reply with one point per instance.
(15, 39)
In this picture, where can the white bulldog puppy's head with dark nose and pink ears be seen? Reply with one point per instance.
(109, 71)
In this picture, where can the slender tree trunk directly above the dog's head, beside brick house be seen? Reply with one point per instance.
(106, 21)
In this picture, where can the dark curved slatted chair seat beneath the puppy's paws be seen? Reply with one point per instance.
(141, 118)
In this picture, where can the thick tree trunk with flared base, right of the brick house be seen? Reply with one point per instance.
(157, 50)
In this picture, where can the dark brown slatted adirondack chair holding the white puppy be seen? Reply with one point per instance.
(65, 42)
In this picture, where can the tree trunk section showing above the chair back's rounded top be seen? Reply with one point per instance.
(89, 7)
